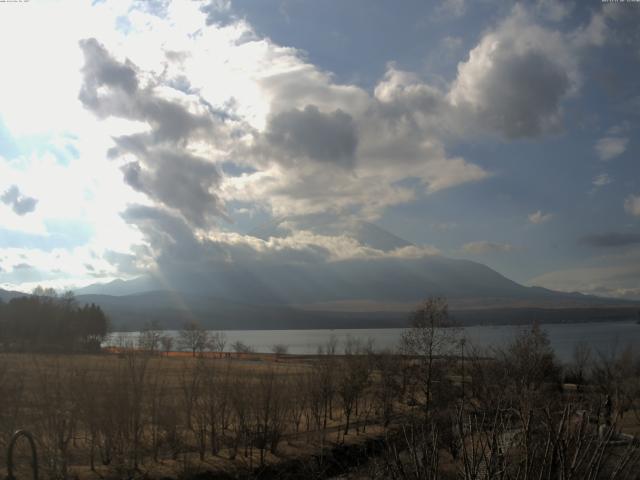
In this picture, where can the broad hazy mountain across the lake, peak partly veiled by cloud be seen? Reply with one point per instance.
(352, 293)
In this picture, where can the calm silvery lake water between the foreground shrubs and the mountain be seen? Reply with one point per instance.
(603, 337)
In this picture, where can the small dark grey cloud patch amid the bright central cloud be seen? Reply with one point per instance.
(312, 134)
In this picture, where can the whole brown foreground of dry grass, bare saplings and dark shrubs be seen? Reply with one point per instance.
(136, 414)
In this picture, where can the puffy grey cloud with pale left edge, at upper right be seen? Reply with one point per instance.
(516, 79)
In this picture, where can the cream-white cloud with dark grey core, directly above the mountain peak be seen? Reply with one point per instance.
(335, 148)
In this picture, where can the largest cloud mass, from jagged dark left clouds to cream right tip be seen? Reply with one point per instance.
(317, 146)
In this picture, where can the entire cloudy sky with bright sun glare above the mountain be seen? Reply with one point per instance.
(144, 136)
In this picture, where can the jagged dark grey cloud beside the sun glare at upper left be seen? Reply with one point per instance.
(165, 169)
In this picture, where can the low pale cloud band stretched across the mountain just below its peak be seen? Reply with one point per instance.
(177, 250)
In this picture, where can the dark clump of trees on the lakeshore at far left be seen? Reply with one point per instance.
(46, 321)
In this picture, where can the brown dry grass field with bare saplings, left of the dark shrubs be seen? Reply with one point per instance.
(121, 414)
